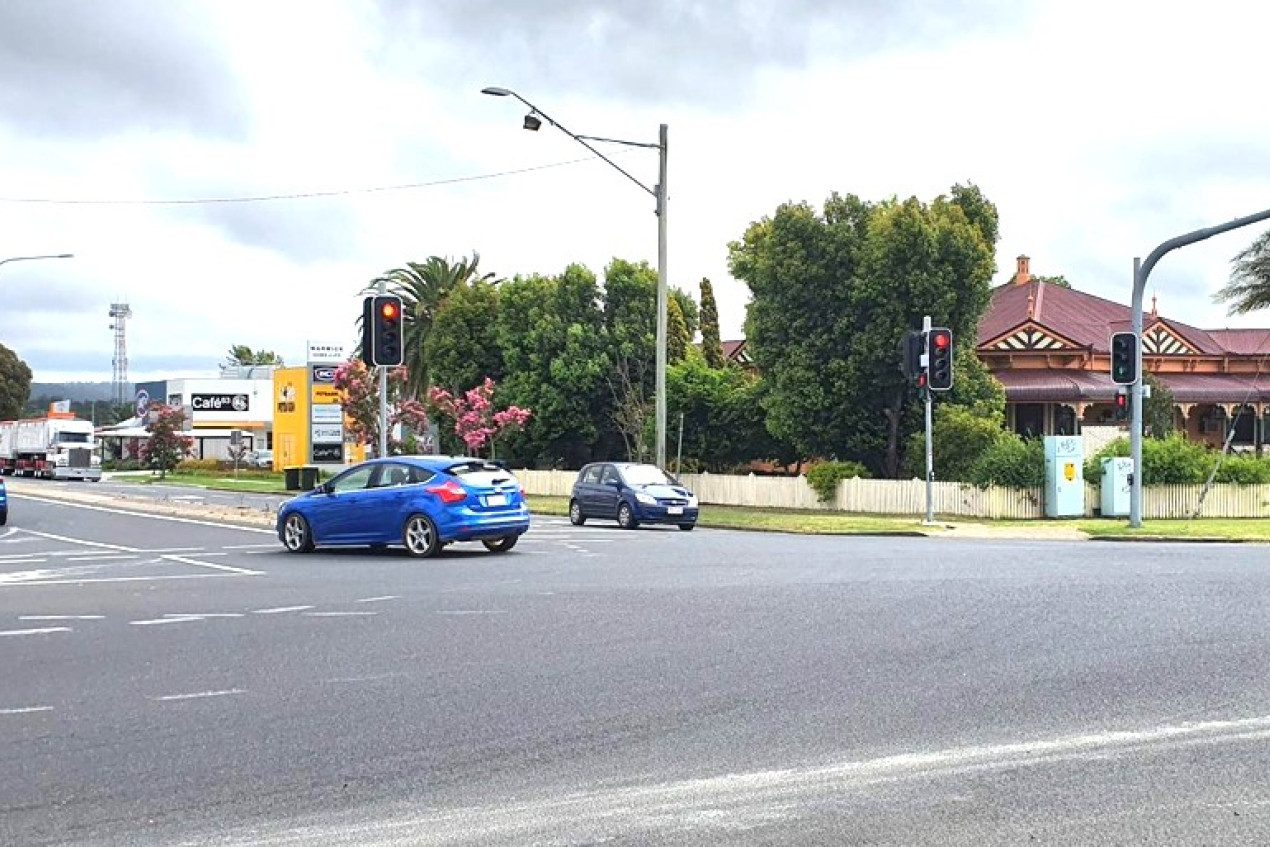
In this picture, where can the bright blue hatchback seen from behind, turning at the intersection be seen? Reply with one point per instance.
(421, 504)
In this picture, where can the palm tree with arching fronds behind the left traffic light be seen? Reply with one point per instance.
(422, 289)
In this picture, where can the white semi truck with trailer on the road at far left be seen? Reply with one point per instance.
(55, 448)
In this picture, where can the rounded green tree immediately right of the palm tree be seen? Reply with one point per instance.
(464, 347)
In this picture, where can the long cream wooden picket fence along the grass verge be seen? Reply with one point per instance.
(952, 500)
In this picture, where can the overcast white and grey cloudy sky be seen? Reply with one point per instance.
(1099, 130)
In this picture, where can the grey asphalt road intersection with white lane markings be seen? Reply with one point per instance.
(171, 683)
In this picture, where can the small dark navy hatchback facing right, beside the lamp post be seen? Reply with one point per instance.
(632, 495)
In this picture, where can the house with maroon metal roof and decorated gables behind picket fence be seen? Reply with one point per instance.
(1050, 347)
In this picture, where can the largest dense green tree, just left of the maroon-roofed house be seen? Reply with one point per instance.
(835, 293)
